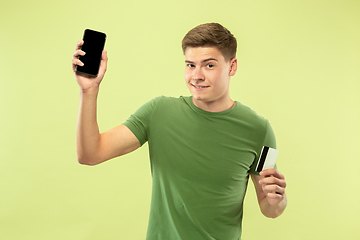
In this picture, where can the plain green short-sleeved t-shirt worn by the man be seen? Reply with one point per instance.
(200, 165)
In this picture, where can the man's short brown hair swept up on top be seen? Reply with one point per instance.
(211, 35)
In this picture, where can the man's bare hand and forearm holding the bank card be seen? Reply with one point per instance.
(270, 191)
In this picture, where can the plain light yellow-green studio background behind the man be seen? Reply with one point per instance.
(299, 66)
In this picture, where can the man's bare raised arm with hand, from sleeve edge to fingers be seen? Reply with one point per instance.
(93, 147)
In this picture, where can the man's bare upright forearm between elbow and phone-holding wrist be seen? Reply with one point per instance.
(87, 130)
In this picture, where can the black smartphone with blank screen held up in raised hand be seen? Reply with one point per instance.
(93, 46)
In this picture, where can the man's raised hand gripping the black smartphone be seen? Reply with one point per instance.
(87, 82)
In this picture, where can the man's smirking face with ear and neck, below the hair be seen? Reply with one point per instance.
(207, 75)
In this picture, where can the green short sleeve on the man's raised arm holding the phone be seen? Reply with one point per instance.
(139, 122)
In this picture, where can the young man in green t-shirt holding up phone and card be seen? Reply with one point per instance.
(202, 148)
